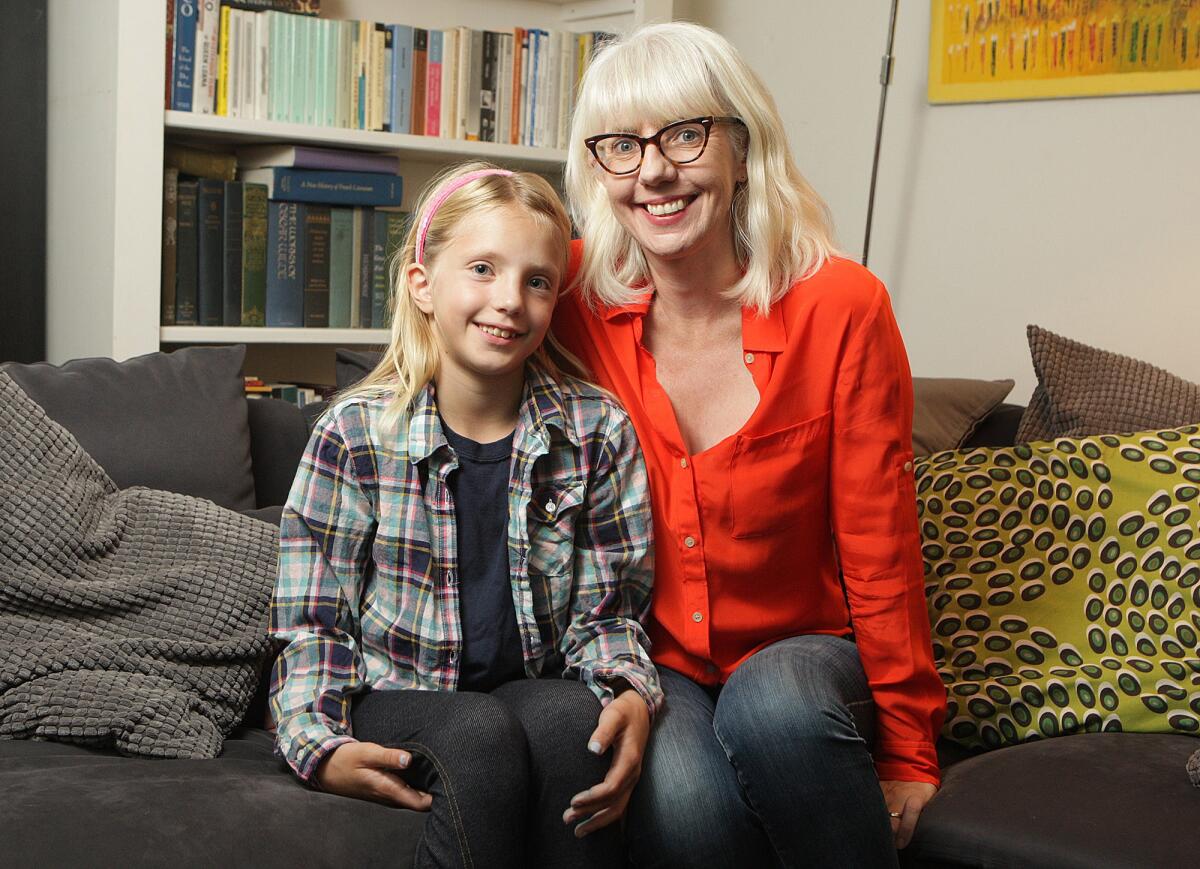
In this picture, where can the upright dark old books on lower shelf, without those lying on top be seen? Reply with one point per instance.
(232, 256)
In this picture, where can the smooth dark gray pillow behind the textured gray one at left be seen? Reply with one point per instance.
(165, 421)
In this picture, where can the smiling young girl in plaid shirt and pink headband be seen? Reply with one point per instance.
(466, 528)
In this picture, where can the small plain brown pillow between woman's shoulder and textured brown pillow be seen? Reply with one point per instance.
(947, 410)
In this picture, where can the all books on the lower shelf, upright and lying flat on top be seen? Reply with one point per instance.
(302, 239)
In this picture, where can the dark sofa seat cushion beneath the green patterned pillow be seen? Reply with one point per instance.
(1090, 802)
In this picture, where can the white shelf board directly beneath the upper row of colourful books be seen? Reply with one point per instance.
(425, 148)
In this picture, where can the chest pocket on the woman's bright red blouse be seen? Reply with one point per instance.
(782, 480)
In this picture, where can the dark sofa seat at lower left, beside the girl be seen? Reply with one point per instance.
(65, 806)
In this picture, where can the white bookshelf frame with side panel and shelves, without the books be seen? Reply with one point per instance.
(105, 143)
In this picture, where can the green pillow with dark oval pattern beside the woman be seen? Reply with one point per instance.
(1064, 585)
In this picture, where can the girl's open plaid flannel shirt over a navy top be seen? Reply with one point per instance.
(368, 592)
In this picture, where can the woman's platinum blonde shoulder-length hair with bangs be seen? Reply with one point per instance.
(668, 73)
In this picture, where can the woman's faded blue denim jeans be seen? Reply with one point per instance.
(769, 770)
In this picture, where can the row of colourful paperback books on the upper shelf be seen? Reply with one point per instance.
(515, 87)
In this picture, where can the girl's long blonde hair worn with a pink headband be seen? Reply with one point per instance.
(411, 361)
